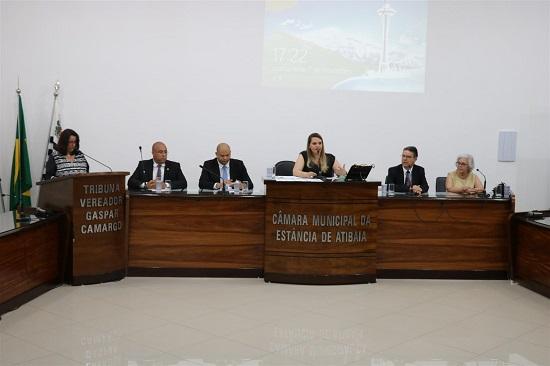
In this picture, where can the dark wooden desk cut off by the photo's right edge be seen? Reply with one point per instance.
(531, 252)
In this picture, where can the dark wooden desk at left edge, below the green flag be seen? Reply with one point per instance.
(30, 258)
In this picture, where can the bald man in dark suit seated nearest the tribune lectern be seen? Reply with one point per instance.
(148, 171)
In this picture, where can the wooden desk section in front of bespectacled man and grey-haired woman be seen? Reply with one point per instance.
(445, 236)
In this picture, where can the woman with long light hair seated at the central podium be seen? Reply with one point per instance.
(314, 162)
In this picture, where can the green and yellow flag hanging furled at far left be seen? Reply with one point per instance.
(21, 182)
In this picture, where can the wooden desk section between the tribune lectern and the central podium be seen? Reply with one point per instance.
(195, 234)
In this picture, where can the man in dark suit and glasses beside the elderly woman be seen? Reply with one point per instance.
(407, 176)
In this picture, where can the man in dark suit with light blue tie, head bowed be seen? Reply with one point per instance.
(223, 166)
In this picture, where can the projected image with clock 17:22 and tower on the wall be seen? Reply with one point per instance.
(346, 45)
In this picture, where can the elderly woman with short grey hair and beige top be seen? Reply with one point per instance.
(463, 180)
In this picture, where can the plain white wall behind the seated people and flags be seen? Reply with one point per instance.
(189, 73)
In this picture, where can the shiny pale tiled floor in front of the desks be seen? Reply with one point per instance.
(206, 321)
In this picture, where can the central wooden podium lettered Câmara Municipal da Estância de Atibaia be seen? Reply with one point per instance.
(320, 233)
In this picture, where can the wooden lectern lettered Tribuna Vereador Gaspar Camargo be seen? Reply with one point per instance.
(95, 204)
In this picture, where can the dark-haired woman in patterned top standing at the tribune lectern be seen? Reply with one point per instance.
(66, 158)
